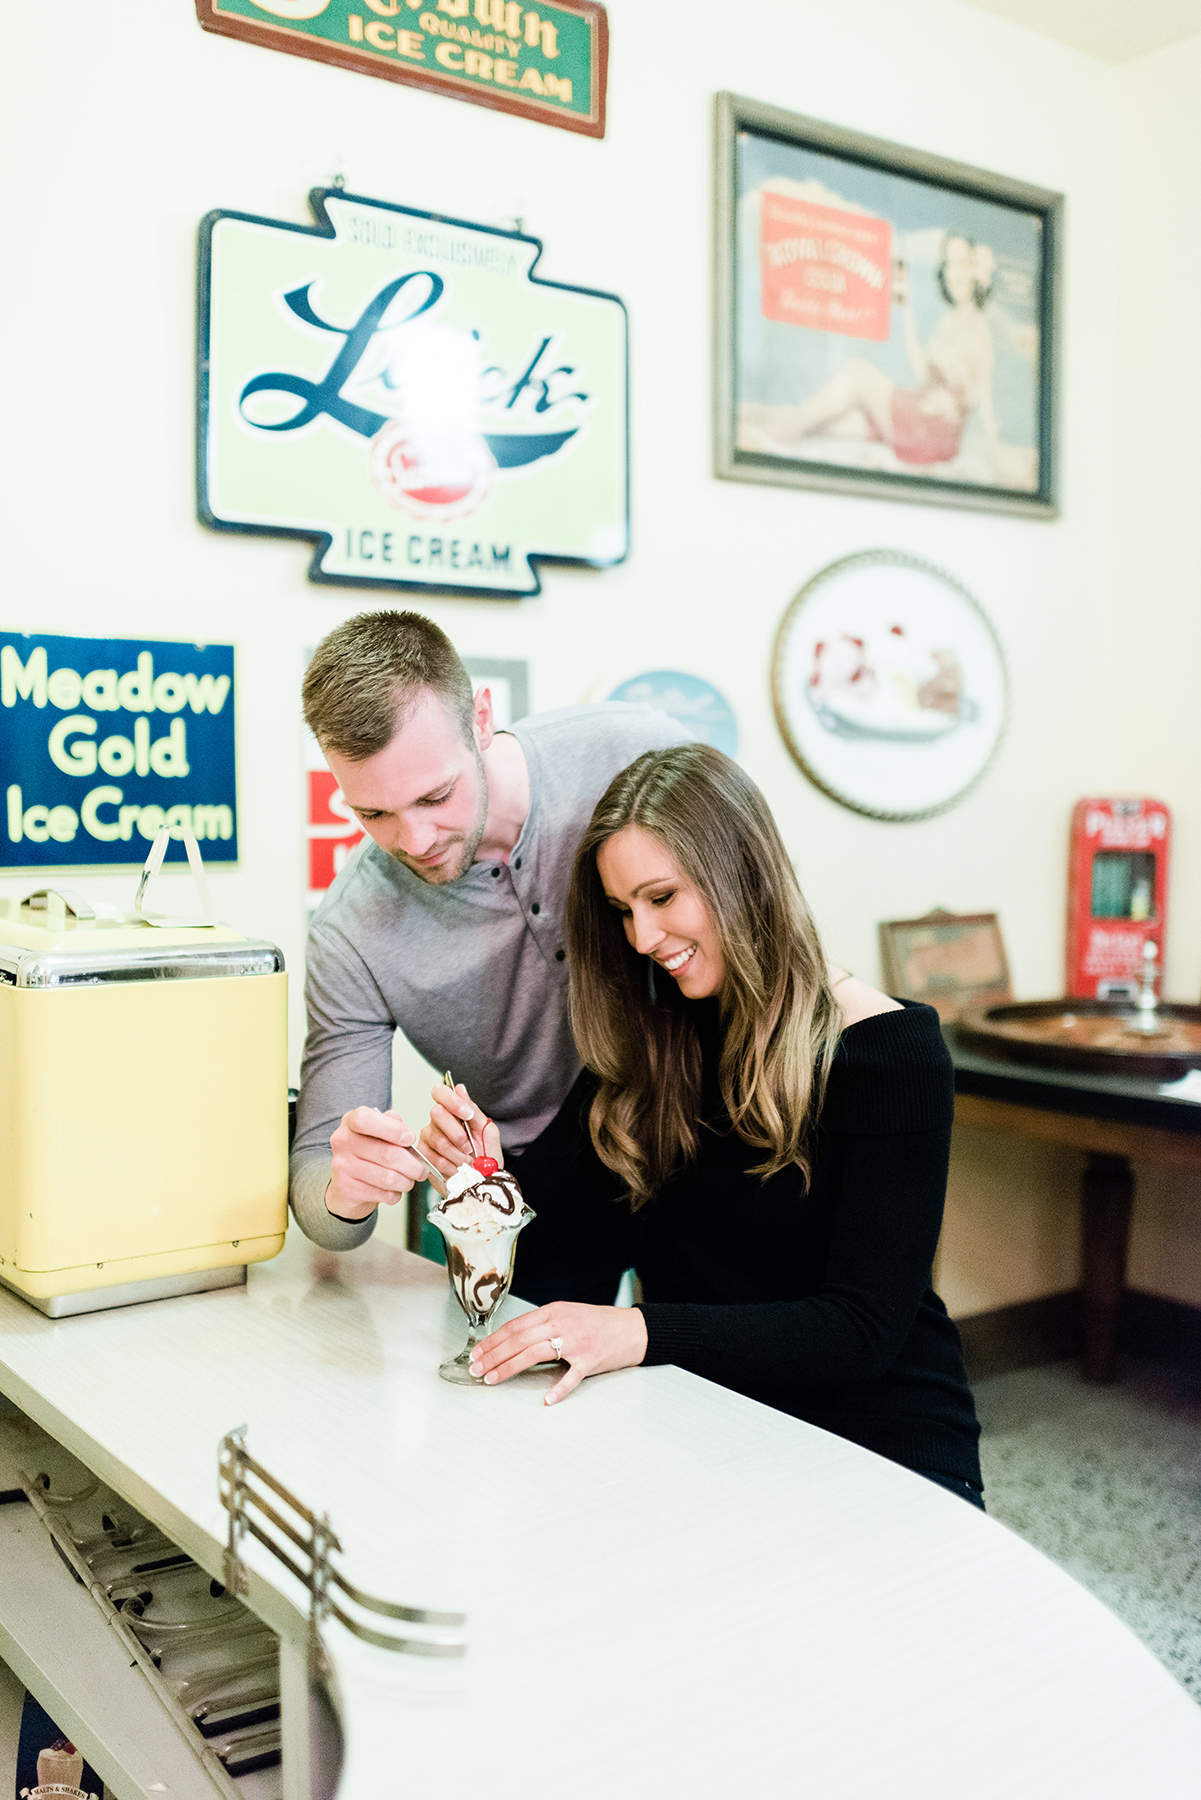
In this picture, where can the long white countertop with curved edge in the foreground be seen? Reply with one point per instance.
(671, 1590)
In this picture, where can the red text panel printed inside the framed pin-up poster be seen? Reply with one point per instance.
(826, 269)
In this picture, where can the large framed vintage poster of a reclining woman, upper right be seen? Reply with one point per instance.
(887, 321)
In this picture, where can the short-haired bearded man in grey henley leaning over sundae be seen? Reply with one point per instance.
(449, 922)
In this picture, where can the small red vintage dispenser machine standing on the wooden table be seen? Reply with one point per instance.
(1117, 895)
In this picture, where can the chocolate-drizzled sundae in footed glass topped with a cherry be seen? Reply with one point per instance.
(480, 1218)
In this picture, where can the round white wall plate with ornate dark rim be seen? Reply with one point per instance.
(889, 685)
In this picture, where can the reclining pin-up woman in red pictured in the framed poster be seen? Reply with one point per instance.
(923, 426)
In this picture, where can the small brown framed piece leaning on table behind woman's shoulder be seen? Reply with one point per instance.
(946, 960)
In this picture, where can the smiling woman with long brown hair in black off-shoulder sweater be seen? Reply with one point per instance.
(779, 1129)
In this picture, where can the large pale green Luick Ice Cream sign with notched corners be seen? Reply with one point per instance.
(404, 391)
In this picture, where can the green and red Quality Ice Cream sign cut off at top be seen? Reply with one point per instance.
(545, 60)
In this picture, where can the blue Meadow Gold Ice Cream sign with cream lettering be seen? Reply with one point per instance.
(105, 741)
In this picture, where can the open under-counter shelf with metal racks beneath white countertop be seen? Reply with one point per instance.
(212, 1668)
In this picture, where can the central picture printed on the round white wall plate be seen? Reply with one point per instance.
(889, 685)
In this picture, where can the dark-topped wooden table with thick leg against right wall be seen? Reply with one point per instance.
(1115, 1122)
